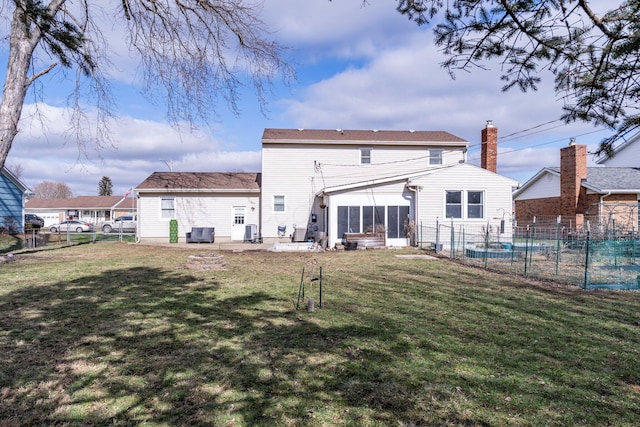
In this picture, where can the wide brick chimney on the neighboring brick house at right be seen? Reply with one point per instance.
(573, 169)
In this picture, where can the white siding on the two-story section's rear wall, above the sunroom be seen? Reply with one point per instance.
(301, 171)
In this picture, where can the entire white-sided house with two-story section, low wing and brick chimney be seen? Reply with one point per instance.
(323, 184)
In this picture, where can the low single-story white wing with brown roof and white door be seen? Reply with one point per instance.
(226, 201)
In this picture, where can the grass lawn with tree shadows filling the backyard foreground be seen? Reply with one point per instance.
(120, 334)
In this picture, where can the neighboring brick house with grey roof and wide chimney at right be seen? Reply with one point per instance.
(606, 197)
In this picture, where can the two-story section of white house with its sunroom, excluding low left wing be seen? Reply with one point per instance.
(351, 181)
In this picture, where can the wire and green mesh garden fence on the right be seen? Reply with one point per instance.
(586, 259)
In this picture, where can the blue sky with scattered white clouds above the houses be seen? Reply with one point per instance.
(358, 68)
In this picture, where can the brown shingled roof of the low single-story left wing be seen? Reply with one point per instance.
(201, 181)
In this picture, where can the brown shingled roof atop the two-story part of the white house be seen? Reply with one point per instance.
(361, 137)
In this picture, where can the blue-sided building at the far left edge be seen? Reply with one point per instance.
(13, 194)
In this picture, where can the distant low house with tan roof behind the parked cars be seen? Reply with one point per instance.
(94, 209)
